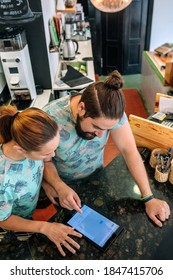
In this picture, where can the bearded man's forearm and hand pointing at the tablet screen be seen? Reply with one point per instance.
(68, 198)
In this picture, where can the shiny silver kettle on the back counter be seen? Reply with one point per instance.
(70, 49)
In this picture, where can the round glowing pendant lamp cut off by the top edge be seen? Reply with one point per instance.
(110, 6)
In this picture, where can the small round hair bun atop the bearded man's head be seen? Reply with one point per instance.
(114, 80)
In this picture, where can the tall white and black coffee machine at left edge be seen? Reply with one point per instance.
(17, 67)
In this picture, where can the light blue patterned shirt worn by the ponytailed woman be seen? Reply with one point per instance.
(20, 183)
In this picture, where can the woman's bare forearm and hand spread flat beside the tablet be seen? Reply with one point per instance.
(56, 232)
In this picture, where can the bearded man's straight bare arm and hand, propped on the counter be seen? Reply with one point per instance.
(157, 210)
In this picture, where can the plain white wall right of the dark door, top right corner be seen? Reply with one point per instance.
(162, 23)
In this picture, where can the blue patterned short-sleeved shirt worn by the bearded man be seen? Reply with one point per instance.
(75, 157)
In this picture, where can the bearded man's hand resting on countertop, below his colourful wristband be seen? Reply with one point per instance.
(158, 211)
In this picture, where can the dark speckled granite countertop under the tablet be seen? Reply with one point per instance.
(113, 192)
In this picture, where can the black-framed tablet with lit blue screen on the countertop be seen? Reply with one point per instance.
(95, 227)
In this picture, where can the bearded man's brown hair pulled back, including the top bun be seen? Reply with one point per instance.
(105, 98)
